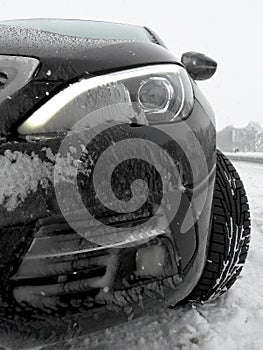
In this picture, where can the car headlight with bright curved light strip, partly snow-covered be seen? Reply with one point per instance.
(162, 93)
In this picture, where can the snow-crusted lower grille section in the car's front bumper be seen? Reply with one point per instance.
(62, 267)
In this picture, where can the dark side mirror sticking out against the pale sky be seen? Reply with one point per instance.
(199, 66)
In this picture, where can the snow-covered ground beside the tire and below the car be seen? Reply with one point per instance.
(232, 322)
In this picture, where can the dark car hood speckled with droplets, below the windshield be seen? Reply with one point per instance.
(65, 57)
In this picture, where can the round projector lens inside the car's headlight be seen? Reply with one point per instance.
(155, 94)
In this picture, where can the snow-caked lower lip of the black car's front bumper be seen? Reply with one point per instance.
(33, 327)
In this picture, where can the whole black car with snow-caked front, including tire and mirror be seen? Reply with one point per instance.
(114, 200)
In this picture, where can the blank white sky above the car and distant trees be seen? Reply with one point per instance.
(230, 31)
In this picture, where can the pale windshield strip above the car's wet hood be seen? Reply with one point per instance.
(85, 29)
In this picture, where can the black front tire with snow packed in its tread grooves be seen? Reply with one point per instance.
(229, 236)
